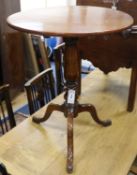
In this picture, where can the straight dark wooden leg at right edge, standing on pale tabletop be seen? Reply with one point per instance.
(132, 90)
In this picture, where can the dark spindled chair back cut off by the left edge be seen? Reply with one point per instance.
(7, 120)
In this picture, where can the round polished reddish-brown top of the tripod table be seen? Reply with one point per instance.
(74, 21)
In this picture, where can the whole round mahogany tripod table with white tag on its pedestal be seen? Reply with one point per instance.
(71, 23)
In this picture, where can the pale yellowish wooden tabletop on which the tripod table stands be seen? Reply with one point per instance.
(31, 149)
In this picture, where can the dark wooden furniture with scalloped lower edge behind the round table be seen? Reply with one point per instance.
(110, 52)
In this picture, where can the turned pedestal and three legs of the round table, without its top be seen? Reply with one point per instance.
(71, 107)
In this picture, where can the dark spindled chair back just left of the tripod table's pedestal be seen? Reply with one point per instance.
(40, 90)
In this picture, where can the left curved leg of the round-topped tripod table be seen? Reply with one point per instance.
(51, 107)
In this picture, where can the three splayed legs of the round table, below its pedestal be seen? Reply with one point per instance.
(71, 111)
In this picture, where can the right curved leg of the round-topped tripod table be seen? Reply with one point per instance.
(91, 109)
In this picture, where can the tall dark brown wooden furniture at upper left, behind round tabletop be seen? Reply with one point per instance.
(11, 48)
